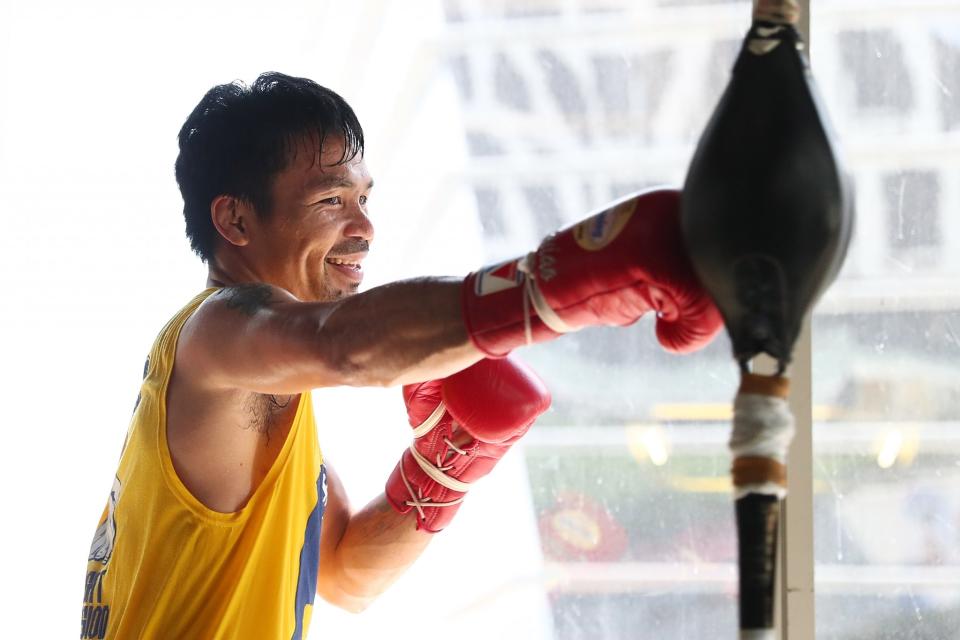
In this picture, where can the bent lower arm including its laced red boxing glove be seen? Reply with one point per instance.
(487, 408)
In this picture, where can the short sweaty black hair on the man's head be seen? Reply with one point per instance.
(239, 137)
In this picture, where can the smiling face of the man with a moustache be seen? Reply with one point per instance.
(318, 232)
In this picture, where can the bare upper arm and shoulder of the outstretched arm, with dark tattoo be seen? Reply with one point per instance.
(259, 338)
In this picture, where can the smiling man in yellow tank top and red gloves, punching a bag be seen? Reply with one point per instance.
(224, 518)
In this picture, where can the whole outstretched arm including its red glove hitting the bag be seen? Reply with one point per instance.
(608, 269)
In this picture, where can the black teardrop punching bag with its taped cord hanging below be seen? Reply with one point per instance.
(767, 217)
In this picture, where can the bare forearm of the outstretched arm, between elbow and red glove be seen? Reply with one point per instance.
(397, 333)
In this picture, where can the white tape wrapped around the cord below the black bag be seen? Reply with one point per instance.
(763, 427)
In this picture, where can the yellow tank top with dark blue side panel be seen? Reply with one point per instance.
(162, 565)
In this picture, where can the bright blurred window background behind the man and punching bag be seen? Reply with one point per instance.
(489, 124)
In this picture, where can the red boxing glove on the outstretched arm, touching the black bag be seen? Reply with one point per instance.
(608, 269)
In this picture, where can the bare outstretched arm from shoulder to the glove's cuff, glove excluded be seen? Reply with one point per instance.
(260, 338)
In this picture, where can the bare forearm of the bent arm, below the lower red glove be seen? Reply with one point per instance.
(377, 547)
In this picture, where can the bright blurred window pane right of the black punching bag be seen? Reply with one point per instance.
(886, 370)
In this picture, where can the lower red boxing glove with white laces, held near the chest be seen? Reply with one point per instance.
(494, 402)
